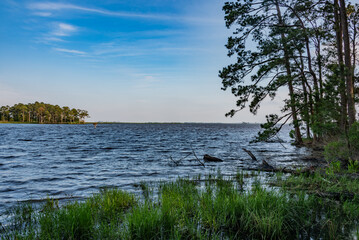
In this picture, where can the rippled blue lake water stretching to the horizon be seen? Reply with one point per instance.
(65, 161)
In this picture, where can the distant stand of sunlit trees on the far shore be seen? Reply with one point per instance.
(40, 112)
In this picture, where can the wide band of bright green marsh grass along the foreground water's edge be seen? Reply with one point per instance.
(212, 208)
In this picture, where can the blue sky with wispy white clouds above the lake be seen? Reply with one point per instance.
(124, 61)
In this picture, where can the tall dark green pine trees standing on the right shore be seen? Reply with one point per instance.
(308, 47)
